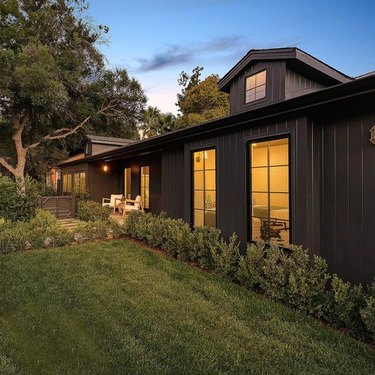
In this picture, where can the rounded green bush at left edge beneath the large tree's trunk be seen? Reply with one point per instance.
(15, 206)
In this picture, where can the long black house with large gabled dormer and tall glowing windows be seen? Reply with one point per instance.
(293, 163)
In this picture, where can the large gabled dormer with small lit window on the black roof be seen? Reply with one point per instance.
(264, 77)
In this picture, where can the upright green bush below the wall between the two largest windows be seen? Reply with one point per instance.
(226, 257)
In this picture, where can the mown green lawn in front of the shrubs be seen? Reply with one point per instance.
(113, 308)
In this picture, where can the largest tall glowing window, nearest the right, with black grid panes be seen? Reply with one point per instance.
(269, 178)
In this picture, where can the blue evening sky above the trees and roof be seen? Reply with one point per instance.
(156, 40)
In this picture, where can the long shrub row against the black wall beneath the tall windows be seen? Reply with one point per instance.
(290, 276)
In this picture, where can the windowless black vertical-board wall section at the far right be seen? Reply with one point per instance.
(348, 186)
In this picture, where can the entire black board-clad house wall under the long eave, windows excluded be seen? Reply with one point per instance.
(332, 181)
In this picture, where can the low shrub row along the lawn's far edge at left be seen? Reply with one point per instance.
(42, 231)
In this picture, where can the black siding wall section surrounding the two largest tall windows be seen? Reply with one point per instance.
(233, 208)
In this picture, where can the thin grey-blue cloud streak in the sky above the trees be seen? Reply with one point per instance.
(175, 55)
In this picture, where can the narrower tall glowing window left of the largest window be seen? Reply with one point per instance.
(204, 187)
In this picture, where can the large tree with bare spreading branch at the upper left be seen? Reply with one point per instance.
(53, 80)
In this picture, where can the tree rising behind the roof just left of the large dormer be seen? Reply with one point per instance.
(200, 101)
